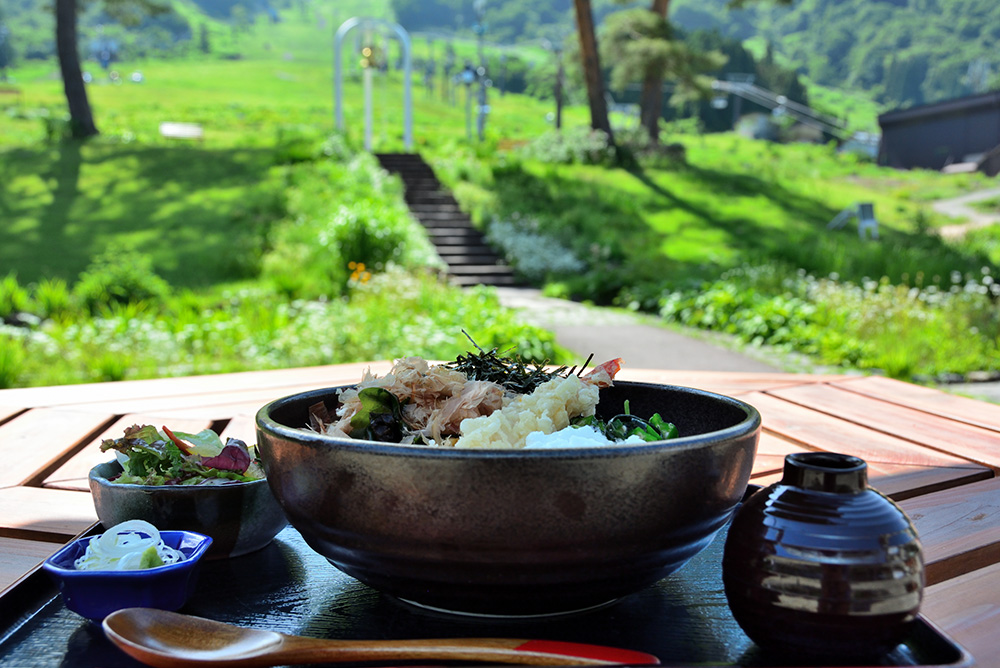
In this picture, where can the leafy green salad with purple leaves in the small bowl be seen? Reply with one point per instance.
(151, 456)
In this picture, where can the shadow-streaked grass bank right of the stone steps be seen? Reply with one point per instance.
(789, 229)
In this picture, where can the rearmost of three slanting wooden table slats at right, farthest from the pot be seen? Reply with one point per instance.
(964, 409)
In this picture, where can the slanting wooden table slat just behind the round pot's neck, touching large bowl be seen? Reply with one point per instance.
(819, 431)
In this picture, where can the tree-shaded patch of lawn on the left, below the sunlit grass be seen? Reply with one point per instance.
(186, 207)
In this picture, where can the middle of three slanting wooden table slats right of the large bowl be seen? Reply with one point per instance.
(943, 434)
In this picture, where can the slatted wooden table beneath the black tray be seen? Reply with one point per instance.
(935, 453)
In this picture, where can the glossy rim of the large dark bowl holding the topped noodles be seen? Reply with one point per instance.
(749, 425)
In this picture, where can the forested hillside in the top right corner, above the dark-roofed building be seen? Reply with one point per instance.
(903, 52)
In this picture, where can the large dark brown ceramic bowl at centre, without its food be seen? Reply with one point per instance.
(514, 532)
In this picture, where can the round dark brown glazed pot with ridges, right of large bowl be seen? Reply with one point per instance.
(821, 563)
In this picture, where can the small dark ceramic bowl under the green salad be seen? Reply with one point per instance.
(240, 517)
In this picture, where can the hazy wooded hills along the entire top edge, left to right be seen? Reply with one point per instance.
(890, 50)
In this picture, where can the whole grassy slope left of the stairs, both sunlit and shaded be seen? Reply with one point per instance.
(184, 202)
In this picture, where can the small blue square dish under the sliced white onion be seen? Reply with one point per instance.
(95, 594)
